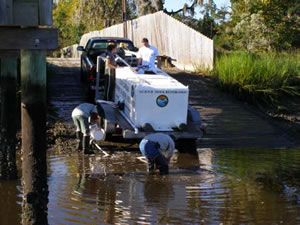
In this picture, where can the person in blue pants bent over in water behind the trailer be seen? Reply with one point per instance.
(158, 148)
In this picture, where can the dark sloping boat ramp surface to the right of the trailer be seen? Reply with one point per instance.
(242, 124)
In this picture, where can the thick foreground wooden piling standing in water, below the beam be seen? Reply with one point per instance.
(33, 111)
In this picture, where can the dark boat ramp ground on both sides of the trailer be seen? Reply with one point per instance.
(230, 123)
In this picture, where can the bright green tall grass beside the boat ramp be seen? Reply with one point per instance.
(264, 77)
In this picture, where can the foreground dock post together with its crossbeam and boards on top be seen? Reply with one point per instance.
(19, 29)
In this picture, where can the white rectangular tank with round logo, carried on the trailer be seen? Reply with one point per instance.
(155, 100)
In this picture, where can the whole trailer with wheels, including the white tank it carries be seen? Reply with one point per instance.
(136, 101)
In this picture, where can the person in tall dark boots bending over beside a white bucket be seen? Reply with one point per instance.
(80, 116)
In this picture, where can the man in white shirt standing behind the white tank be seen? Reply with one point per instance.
(147, 55)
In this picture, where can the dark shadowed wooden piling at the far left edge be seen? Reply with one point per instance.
(8, 90)
